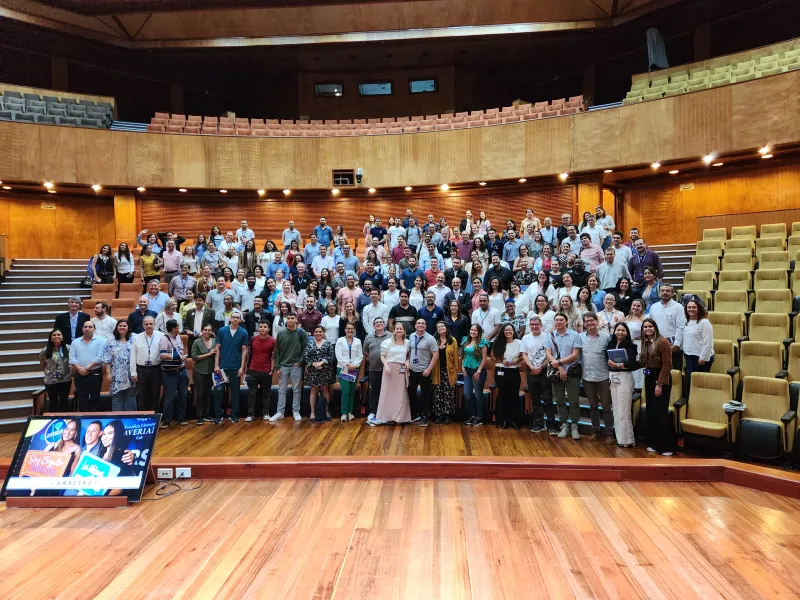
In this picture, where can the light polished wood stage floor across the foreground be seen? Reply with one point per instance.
(417, 539)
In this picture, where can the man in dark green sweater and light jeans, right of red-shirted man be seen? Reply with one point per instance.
(287, 361)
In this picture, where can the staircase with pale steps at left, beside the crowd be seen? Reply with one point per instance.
(33, 293)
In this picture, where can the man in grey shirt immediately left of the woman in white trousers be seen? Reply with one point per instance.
(594, 357)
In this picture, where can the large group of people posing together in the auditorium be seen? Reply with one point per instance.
(424, 306)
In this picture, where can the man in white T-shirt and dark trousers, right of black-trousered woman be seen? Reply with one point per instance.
(534, 356)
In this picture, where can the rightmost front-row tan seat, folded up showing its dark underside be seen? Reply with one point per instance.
(767, 425)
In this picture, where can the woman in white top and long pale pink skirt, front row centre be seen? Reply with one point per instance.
(393, 403)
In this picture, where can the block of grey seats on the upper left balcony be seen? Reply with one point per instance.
(52, 110)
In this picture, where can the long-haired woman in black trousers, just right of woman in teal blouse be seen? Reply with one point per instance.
(507, 356)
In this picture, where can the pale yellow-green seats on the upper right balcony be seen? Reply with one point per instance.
(722, 73)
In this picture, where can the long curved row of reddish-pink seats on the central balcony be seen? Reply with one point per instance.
(166, 123)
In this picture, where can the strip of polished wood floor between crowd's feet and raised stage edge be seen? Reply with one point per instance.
(355, 438)
